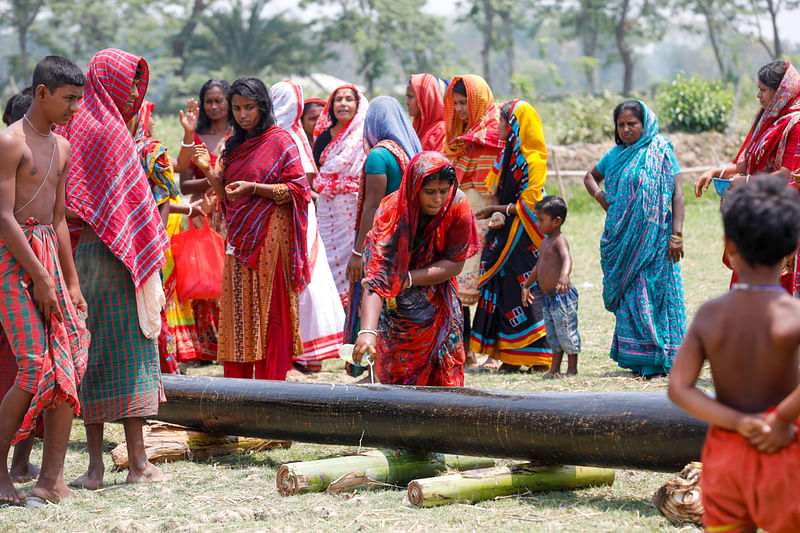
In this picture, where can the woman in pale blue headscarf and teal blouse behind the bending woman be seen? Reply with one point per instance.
(390, 142)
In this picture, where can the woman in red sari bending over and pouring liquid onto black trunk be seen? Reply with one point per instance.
(410, 312)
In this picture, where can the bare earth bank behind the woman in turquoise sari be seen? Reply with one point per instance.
(692, 150)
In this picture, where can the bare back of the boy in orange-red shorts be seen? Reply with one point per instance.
(751, 338)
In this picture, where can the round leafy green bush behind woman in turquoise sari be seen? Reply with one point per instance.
(695, 104)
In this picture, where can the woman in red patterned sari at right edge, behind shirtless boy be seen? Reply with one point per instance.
(772, 147)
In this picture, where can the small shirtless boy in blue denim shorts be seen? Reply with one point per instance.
(552, 270)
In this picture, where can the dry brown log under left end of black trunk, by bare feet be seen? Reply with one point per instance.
(168, 442)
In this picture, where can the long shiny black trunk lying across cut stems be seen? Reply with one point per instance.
(641, 430)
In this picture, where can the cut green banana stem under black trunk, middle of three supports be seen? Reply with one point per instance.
(368, 469)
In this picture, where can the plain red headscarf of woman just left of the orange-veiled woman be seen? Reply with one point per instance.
(429, 124)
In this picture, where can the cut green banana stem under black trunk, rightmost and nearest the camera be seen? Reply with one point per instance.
(478, 485)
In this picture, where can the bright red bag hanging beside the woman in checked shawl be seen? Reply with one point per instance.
(199, 260)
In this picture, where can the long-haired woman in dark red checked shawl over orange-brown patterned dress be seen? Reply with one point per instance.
(265, 198)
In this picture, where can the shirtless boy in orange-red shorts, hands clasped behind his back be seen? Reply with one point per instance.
(750, 336)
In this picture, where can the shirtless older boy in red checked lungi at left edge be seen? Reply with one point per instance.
(38, 280)
